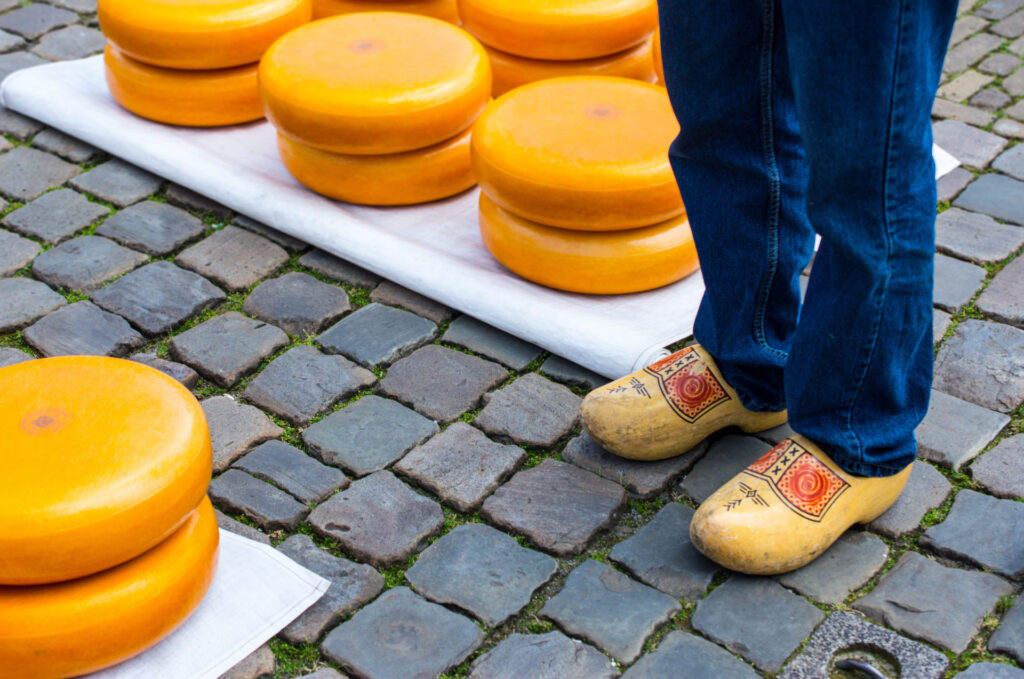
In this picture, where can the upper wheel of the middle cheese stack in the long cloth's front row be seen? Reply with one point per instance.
(375, 83)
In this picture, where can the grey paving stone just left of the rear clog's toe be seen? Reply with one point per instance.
(532, 411)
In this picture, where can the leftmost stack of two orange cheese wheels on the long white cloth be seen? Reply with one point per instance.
(193, 63)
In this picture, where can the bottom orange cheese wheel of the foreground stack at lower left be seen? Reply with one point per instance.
(70, 629)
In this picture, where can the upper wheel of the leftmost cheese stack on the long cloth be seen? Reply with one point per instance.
(199, 34)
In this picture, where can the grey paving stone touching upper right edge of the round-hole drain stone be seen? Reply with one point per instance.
(931, 603)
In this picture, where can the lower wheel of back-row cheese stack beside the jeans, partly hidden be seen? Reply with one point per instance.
(511, 71)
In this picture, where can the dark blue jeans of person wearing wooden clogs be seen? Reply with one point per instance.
(801, 117)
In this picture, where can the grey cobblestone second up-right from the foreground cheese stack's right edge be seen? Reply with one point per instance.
(303, 383)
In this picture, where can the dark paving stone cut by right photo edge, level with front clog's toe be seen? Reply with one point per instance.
(984, 531)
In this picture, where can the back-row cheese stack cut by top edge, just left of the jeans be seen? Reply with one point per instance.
(531, 40)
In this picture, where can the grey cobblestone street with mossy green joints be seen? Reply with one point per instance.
(434, 469)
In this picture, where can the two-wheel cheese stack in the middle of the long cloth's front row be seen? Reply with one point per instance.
(376, 108)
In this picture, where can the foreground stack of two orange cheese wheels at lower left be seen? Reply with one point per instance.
(109, 541)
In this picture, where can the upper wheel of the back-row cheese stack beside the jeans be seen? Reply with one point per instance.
(560, 29)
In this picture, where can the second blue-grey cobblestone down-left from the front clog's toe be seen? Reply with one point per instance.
(608, 609)
